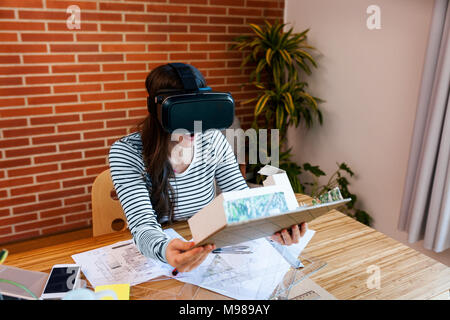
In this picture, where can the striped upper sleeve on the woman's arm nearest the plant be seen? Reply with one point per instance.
(228, 175)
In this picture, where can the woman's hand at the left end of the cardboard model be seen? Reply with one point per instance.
(182, 256)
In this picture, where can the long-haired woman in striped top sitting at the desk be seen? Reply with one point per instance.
(161, 178)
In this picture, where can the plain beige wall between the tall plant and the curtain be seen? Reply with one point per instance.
(370, 80)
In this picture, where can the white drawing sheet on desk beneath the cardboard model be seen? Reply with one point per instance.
(247, 276)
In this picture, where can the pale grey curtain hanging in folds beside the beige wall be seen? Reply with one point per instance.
(425, 209)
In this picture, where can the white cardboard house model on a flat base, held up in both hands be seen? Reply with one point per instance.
(237, 216)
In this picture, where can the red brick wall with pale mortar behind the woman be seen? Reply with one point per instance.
(66, 95)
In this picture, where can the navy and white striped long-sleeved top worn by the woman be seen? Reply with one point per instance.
(213, 160)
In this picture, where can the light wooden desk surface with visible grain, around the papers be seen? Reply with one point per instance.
(349, 248)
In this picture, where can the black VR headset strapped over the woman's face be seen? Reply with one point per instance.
(178, 109)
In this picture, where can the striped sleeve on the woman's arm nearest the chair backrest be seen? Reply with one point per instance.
(127, 173)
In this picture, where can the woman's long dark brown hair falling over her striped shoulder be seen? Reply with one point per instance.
(155, 142)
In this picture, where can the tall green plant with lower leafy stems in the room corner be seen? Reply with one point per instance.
(278, 57)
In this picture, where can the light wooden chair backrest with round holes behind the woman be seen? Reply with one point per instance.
(107, 212)
